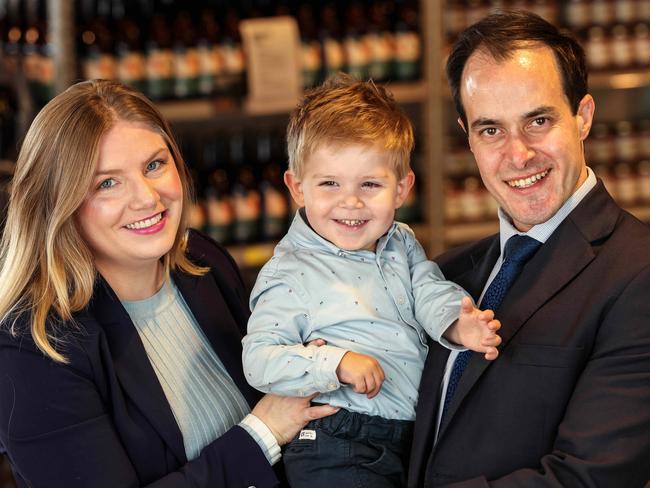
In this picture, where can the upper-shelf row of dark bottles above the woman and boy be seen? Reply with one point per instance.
(193, 48)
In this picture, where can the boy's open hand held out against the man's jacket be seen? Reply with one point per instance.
(476, 330)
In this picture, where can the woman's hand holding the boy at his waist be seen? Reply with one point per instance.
(285, 416)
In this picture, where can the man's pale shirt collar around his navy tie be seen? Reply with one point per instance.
(543, 231)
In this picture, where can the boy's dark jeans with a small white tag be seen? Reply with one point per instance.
(349, 450)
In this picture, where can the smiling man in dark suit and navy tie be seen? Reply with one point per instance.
(567, 403)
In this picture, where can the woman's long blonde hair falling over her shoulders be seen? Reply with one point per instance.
(46, 268)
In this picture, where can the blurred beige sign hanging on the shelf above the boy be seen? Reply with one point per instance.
(272, 47)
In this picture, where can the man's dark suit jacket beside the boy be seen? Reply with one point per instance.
(567, 403)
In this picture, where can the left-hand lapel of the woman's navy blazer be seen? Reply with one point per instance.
(132, 366)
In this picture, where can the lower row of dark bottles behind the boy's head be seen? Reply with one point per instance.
(241, 196)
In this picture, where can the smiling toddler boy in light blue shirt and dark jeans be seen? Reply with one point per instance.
(345, 305)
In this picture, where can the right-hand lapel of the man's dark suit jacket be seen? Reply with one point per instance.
(569, 249)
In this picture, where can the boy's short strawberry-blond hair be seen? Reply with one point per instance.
(344, 111)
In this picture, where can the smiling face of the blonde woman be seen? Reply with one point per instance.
(132, 211)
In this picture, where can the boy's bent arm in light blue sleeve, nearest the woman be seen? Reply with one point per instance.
(275, 357)
